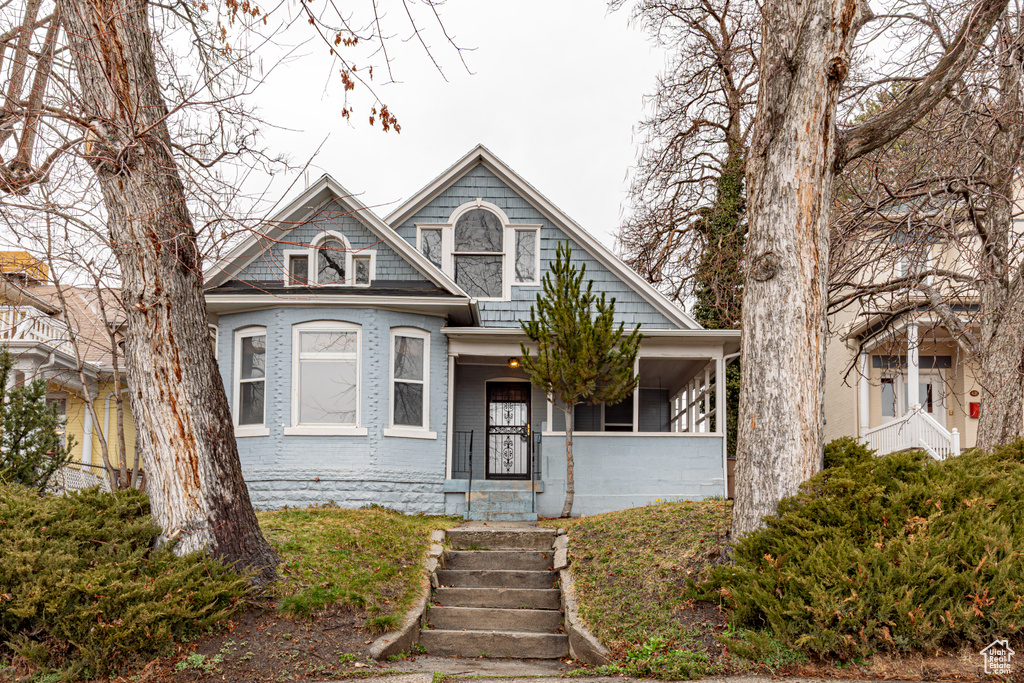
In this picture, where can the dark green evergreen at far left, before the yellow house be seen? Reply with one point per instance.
(31, 451)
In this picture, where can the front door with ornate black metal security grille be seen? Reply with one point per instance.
(508, 431)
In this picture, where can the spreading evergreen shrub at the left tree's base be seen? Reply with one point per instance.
(81, 584)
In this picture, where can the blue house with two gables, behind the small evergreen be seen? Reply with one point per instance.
(375, 361)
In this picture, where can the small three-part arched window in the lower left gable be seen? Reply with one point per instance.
(330, 262)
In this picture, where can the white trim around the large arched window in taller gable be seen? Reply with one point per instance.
(508, 246)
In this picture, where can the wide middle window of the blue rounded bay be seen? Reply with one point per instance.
(326, 379)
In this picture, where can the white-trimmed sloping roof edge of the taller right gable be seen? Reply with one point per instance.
(481, 155)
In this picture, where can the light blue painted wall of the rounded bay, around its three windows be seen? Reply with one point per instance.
(404, 474)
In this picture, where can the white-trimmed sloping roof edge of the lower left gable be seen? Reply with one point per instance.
(306, 206)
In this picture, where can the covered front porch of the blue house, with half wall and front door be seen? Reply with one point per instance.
(507, 442)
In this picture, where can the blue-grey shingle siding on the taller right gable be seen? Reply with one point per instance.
(480, 183)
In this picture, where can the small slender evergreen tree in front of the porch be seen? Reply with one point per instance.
(582, 357)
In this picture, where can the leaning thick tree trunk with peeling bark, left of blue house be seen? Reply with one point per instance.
(194, 477)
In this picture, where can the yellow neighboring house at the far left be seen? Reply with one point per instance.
(76, 361)
